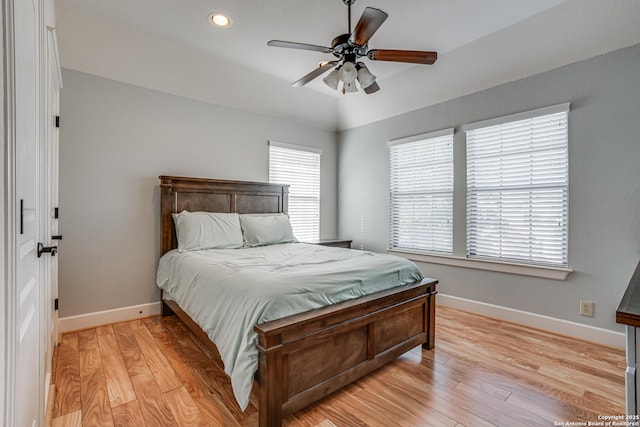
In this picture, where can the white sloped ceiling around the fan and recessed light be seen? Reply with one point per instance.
(169, 45)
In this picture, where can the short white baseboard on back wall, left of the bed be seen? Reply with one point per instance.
(91, 320)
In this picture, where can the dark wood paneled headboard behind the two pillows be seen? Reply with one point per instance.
(215, 195)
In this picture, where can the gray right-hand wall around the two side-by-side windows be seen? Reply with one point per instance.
(604, 199)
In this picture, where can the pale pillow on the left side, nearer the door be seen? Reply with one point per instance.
(207, 230)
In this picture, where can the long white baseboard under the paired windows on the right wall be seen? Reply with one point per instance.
(593, 334)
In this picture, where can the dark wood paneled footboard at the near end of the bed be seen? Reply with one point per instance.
(306, 357)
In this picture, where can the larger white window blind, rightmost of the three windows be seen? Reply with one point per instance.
(517, 187)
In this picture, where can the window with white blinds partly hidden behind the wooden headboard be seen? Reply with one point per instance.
(300, 168)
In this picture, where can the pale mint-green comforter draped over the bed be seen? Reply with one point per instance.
(228, 291)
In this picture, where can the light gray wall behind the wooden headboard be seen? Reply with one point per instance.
(115, 140)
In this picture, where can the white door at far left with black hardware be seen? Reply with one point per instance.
(28, 361)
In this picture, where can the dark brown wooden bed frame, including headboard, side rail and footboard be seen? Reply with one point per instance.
(305, 357)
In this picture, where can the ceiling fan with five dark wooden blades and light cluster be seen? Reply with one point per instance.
(352, 46)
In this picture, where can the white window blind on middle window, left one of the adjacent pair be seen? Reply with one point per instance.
(421, 192)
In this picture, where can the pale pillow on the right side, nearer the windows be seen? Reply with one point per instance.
(266, 229)
